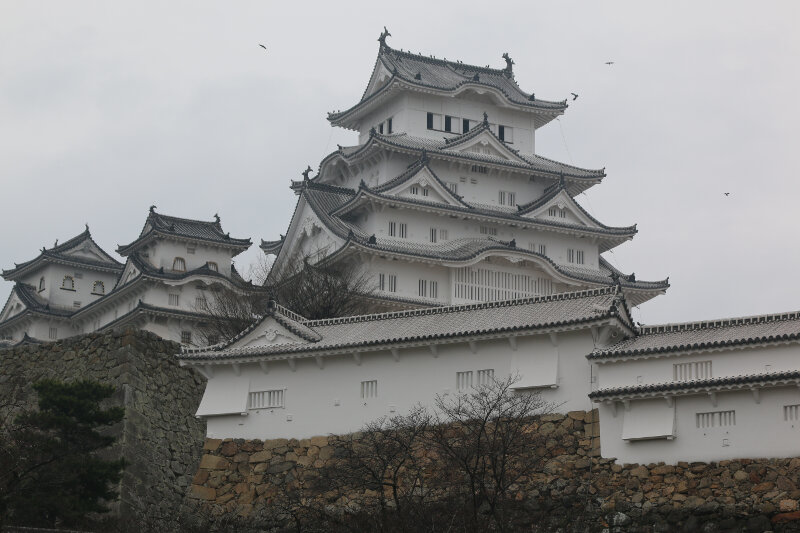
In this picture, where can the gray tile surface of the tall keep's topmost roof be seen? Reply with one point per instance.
(429, 73)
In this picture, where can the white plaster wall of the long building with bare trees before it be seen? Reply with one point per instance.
(327, 400)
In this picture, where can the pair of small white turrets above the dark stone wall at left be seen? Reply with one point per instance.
(168, 276)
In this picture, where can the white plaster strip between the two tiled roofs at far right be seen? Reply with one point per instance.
(723, 363)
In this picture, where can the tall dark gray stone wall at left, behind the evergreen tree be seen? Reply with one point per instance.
(159, 436)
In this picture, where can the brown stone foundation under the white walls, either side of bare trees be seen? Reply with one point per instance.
(575, 486)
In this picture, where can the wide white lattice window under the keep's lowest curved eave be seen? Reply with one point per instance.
(484, 285)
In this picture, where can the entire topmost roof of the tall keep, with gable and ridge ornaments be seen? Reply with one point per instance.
(429, 74)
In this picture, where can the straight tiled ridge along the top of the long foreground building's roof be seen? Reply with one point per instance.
(462, 307)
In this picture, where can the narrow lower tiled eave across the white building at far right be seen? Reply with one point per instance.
(701, 385)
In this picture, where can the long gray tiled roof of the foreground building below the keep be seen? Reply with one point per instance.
(439, 323)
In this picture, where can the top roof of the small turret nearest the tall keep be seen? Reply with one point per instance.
(183, 228)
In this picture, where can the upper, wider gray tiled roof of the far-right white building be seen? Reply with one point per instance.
(693, 336)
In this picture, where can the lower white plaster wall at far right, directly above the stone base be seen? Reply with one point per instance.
(760, 430)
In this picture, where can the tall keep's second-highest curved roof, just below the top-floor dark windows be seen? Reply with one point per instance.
(577, 179)
